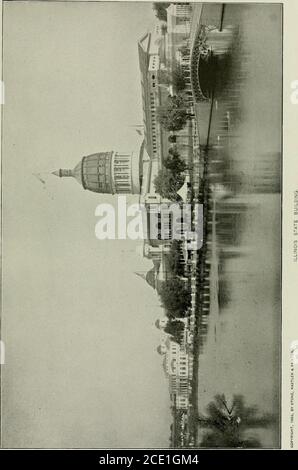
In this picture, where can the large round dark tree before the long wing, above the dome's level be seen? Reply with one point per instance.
(174, 114)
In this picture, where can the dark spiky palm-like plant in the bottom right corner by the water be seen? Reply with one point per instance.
(227, 425)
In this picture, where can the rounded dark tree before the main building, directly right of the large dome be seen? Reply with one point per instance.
(167, 183)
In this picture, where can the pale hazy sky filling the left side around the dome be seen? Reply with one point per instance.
(81, 363)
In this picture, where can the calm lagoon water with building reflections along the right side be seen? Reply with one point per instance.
(240, 353)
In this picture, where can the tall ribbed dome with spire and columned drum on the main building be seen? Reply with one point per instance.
(108, 172)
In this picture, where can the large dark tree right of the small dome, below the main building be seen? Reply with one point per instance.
(175, 297)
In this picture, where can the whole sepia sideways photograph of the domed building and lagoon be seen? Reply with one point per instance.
(142, 154)
